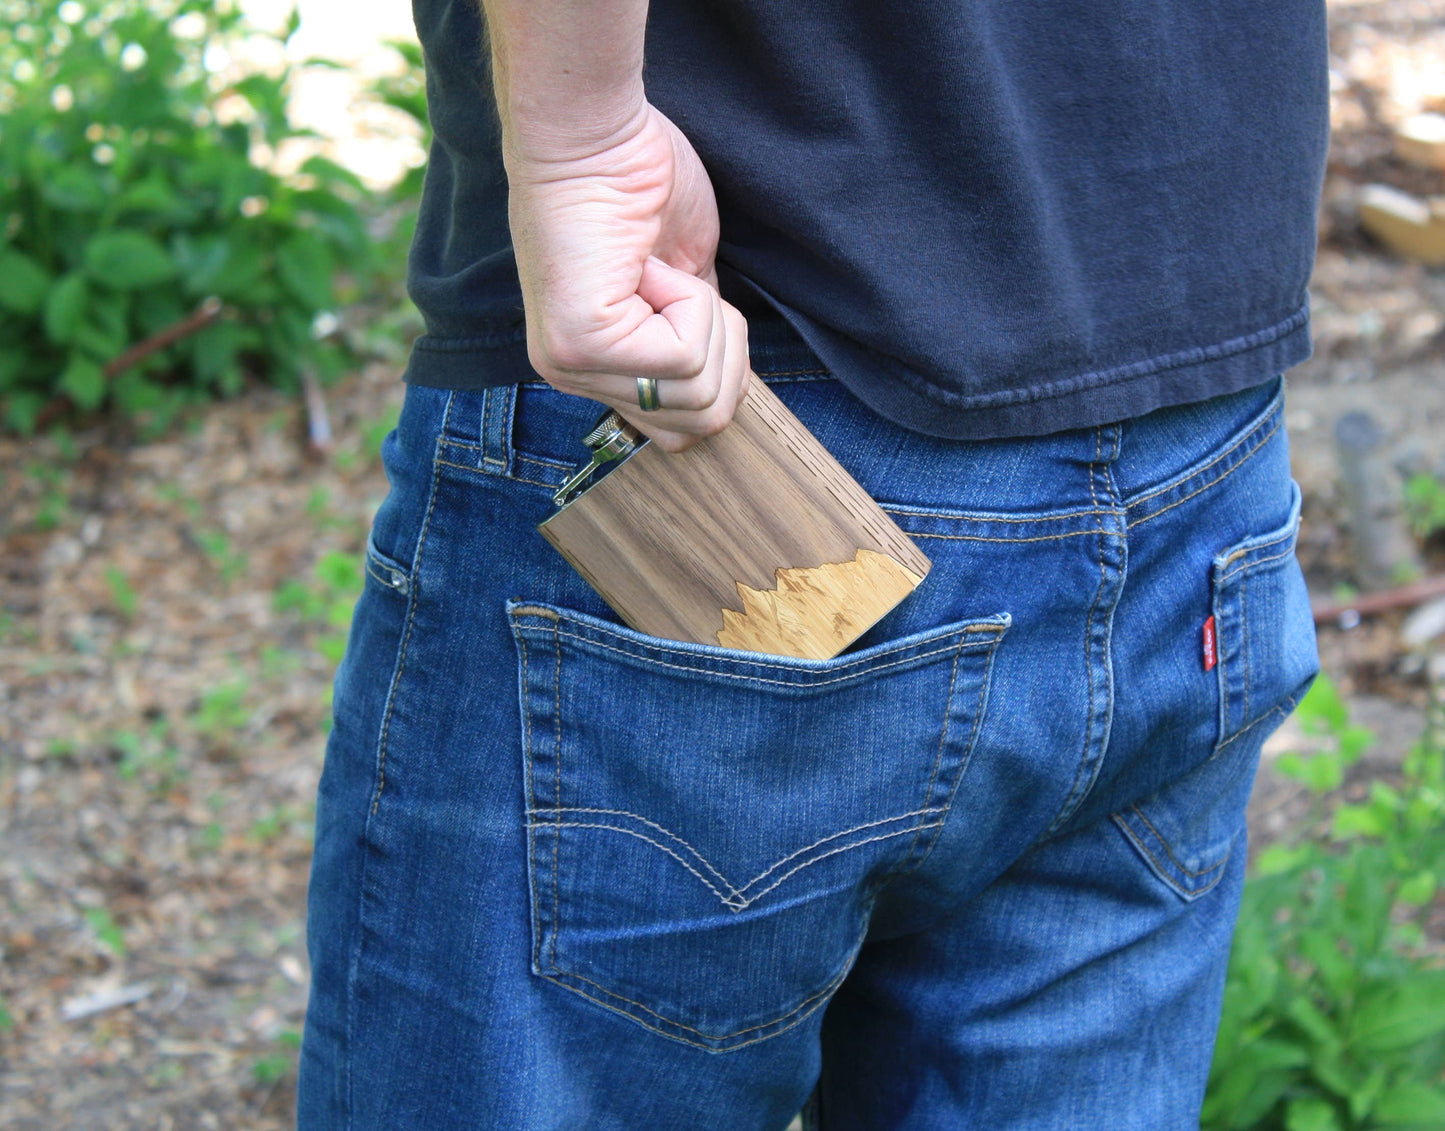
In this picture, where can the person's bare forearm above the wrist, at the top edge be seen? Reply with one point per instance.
(567, 73)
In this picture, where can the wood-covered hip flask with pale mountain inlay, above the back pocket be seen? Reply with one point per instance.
(754, 539)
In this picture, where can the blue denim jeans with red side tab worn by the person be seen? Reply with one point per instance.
(979, 872)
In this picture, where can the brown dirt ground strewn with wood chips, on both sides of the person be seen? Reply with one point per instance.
(170, 622)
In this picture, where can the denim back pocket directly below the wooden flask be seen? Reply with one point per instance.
(709, 827)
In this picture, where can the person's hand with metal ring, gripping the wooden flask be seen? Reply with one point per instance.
(615, 243)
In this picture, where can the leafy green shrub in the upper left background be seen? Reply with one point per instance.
(129, 196)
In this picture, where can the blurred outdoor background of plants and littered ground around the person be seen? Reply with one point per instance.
(204, 210)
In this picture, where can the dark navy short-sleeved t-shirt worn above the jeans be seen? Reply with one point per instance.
(986, 217)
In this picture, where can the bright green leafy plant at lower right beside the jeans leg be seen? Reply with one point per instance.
(1334, 1010)
